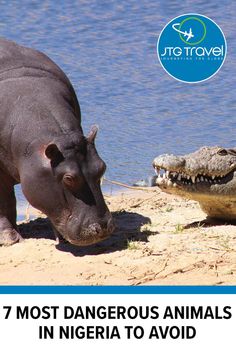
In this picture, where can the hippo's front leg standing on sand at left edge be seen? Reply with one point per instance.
(8, 233)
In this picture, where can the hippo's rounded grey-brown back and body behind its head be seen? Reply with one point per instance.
(37, 102)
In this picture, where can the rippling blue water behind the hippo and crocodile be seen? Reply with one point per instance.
(108, 50)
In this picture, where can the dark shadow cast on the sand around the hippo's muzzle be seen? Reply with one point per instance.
(128, 227)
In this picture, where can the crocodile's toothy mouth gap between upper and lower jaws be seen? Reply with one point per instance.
(174, 178)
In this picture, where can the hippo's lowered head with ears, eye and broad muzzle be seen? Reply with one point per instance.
(66, 188)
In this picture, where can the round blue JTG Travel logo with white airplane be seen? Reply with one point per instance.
(191, 48)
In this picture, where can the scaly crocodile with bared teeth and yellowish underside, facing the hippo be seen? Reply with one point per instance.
(207, 175)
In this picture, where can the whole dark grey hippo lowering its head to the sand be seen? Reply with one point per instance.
(42, 146)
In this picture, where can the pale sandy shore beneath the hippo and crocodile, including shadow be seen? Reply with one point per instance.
(159, 239)
